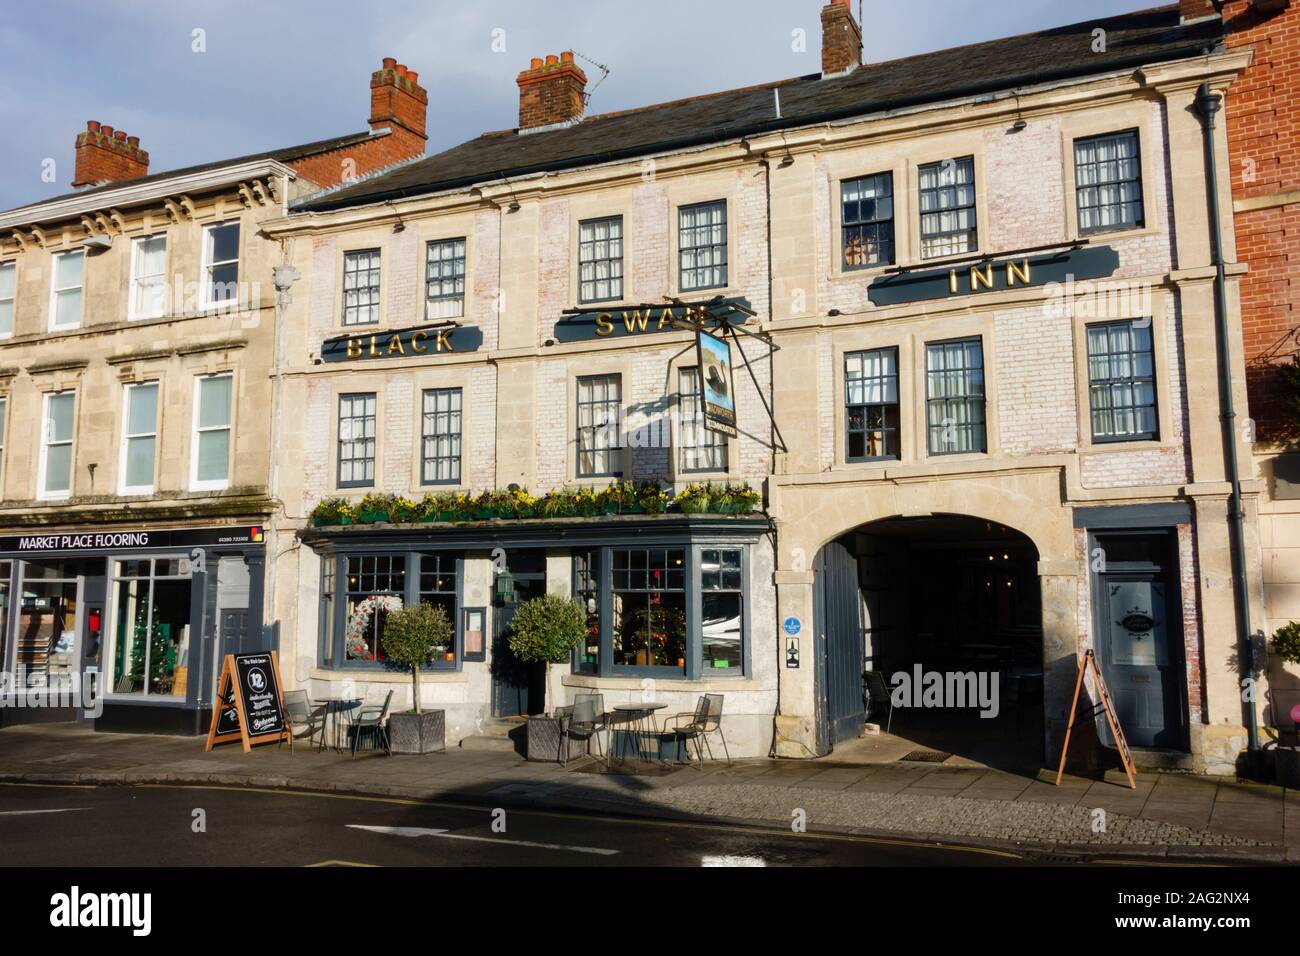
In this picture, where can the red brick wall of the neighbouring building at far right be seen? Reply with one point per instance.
(1264, 144)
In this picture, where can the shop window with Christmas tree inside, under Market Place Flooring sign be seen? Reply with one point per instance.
(151, 628)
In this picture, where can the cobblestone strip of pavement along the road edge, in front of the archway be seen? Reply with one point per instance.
(999, 820)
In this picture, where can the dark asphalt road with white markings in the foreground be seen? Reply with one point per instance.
(159, 827)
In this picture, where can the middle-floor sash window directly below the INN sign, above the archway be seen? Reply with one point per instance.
(955, 397)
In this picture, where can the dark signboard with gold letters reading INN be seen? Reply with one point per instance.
(991, 275)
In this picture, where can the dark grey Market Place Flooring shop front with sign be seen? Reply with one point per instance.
(125, 629)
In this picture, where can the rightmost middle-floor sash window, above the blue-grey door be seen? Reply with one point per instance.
(1123, 382)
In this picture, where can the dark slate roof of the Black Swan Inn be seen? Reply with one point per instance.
(1050, 55)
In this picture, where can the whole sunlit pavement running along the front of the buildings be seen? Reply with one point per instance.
(1169, 817)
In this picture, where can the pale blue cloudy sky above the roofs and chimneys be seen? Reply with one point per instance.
(296, 71)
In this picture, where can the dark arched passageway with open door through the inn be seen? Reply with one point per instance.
(943, 617)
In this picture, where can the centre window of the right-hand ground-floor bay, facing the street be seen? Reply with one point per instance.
(649, 599)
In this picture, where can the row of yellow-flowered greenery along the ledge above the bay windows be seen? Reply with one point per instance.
(515, 503)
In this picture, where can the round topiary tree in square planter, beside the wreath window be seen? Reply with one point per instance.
(415, 637)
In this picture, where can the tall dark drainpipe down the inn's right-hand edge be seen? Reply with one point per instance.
(1208, 105)
